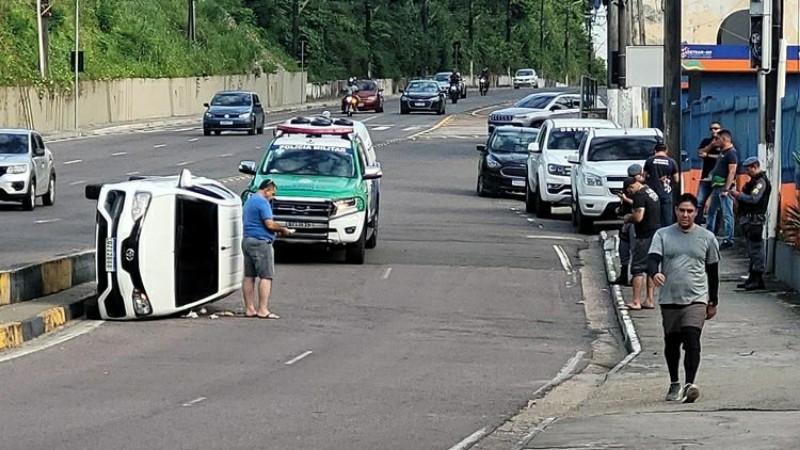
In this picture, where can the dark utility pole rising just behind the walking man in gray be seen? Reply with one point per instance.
(672, 83)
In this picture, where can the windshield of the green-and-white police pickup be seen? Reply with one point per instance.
(310, 159)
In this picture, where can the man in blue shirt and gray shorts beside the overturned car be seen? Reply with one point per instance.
(259, 260)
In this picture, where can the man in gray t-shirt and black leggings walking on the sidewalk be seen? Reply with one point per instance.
(684, 261)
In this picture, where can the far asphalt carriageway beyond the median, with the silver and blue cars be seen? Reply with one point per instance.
(69, 225)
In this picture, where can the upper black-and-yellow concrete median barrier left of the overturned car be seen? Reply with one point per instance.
(33, 281)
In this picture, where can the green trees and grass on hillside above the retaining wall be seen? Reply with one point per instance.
(387, 38)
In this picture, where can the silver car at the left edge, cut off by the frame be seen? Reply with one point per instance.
(27, 170)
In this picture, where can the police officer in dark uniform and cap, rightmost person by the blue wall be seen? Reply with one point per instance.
(753, 201)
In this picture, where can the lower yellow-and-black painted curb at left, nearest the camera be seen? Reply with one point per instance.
(14, 334)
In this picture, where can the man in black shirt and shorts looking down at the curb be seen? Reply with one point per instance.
(645, 219)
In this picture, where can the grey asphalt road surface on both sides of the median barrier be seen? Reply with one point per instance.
(466, 308)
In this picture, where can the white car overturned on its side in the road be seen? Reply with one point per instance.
(165, 245)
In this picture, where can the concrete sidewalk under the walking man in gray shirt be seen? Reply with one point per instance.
(749, 379)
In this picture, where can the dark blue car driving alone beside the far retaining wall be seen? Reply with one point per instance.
(234, 110)
